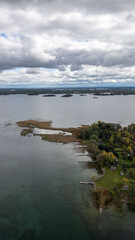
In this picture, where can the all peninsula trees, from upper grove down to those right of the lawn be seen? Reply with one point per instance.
(113, 147)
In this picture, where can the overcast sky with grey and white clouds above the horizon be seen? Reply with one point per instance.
(64, 43)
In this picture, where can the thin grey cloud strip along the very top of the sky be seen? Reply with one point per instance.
(96, 6)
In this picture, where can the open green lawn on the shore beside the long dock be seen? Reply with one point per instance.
(107, 181)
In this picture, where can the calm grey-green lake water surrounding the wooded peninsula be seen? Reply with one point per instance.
(40, 194)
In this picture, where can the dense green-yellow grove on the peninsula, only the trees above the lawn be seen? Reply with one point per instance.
(105, 138)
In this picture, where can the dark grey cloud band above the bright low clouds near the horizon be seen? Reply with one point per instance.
(75, 59)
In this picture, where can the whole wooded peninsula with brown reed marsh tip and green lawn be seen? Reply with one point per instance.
(110, 146)
